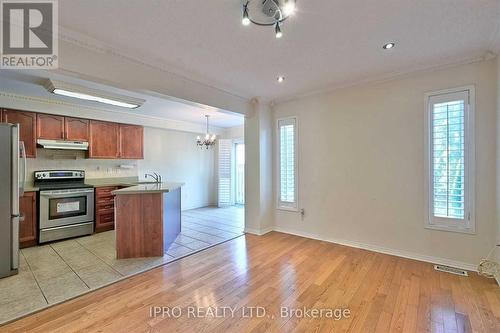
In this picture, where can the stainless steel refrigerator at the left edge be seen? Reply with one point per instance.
(12, 177)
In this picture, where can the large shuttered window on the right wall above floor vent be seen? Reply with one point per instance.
(450, 154)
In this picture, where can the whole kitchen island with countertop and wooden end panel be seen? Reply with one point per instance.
(147, 219)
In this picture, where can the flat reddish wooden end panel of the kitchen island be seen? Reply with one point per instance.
(139, 225)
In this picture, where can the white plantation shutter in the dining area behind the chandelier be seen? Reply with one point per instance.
(225, 197)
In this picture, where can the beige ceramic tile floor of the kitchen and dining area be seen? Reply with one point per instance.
(52, 273)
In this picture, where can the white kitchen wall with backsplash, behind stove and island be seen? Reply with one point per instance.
(172, 154)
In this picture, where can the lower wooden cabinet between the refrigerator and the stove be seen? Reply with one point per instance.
(28, 231)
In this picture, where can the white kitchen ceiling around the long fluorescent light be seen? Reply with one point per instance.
(30, 83)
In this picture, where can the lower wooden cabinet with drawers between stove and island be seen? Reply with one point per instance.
(105, 208)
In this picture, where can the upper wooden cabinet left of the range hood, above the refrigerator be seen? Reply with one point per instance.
(27, 122)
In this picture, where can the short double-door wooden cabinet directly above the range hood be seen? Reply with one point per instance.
(52, 127)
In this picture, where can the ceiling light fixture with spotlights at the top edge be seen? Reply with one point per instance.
(268, 13)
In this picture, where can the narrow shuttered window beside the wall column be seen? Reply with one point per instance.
(287, 164)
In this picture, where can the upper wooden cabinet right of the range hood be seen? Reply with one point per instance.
(104, 140)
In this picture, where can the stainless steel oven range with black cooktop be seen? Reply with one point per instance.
(66, 204)
